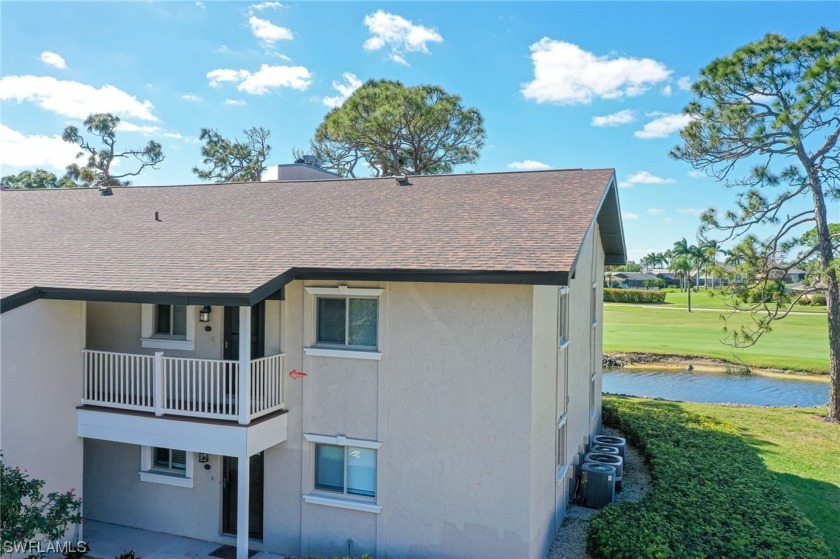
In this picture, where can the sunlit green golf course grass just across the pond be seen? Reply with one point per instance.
(799, 342)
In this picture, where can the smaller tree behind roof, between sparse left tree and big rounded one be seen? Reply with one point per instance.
(232, 160)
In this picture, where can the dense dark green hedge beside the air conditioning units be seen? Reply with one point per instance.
(711, 494)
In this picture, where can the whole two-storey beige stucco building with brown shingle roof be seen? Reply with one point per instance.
(412, 366)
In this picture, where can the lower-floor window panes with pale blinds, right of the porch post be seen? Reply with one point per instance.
(345, 469)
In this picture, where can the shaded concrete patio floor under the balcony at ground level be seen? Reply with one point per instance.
(110, 540)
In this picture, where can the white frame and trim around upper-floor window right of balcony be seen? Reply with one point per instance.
(317, 349)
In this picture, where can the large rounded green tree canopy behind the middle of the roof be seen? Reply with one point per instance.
(392, 129)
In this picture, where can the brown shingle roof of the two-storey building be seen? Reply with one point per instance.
(236, 238)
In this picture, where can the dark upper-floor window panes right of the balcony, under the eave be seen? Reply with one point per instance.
(347, 321)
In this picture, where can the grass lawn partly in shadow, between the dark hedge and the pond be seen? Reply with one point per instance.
(800, 449)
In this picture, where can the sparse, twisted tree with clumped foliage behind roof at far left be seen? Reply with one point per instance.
(100, 160)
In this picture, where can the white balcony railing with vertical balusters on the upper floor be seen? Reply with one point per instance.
(204, 388)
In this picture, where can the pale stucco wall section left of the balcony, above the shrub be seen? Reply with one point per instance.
(41, 371)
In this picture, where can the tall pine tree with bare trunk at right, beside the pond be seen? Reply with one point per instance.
(766, 121)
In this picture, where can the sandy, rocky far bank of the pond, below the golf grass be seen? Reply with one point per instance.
(678, 362)
